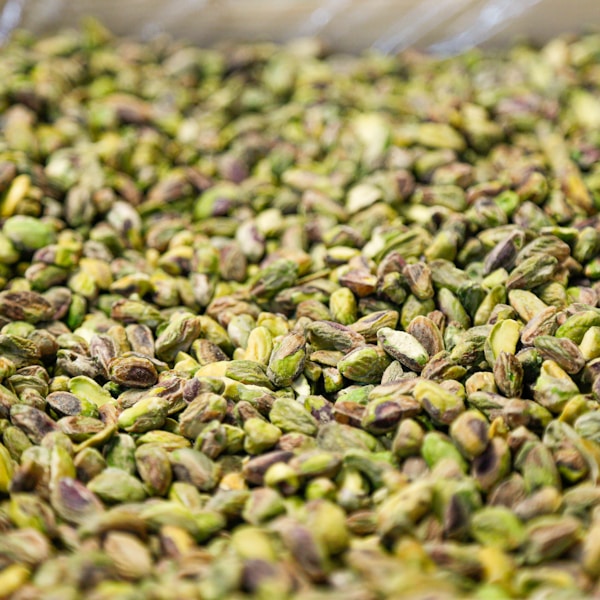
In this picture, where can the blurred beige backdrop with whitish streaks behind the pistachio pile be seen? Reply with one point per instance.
(441, 26)
